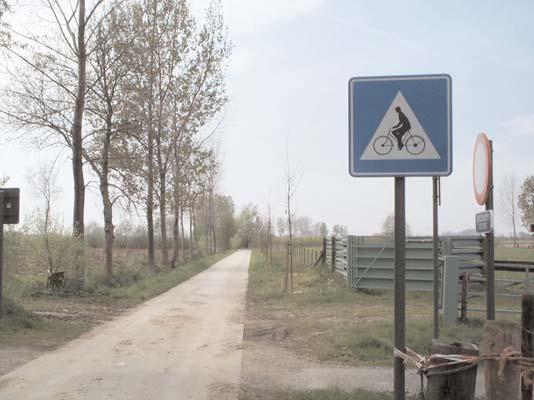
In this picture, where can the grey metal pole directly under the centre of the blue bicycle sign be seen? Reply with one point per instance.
(400, 287)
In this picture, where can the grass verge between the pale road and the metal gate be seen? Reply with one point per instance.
(329, 322)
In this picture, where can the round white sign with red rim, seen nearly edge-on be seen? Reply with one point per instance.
(481, 168)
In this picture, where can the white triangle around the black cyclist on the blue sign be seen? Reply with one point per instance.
(389, 120)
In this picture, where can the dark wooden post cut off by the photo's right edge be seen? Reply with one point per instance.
(527, 342)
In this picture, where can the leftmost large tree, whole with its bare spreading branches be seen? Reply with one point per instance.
(48, 92)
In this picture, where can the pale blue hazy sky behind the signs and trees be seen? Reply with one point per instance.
(287, 84)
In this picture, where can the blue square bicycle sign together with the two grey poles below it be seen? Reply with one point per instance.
(401, 126)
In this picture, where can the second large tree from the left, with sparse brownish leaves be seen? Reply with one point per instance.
(106, 99)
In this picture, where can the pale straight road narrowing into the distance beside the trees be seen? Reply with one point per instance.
(184, 344)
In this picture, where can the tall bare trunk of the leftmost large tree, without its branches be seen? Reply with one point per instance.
(77, 151)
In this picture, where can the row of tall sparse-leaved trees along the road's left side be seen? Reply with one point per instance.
(126, 87)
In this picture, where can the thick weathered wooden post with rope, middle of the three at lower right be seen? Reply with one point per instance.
(499, 335)
